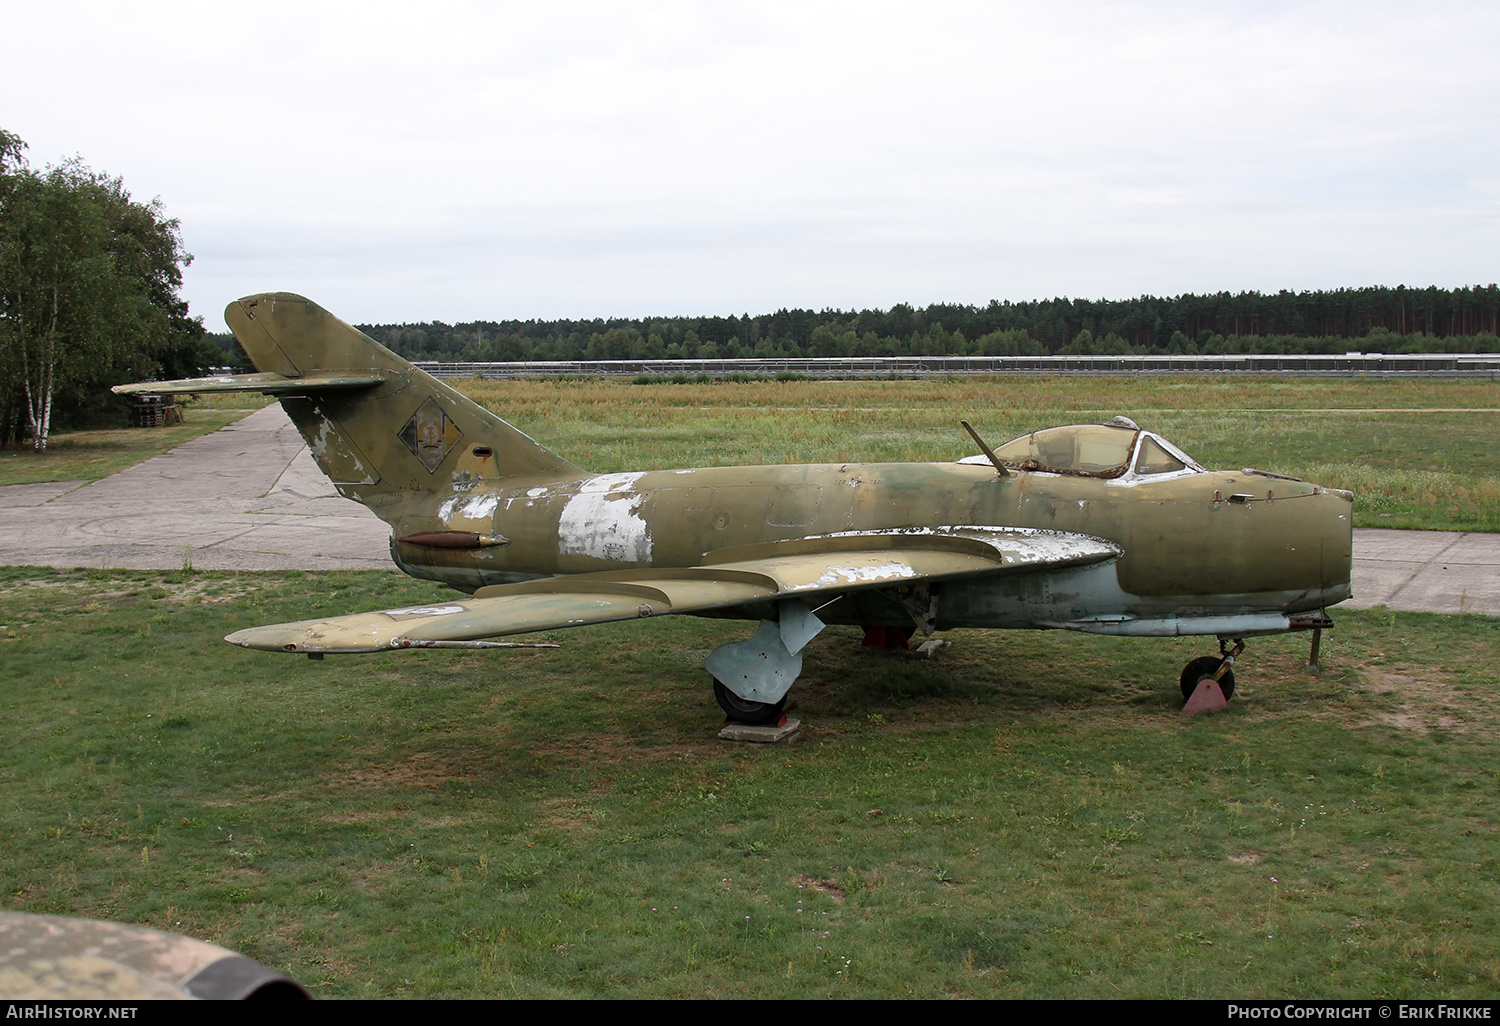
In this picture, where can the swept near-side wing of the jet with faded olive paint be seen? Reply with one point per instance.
(817, 568)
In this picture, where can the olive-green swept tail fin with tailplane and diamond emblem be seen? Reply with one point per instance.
(380, 428)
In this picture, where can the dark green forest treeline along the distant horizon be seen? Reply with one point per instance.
(1370, 320)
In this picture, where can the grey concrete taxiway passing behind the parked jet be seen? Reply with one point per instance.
(251, 499)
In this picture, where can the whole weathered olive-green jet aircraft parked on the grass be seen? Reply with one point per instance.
(1102, 529)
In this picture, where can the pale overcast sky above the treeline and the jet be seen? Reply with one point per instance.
(460, 161)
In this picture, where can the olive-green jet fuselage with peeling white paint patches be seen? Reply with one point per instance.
(1193, 545)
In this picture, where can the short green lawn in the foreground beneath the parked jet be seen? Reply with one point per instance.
(1027, 815)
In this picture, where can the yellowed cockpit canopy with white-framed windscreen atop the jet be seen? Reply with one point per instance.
(1094, 451)
